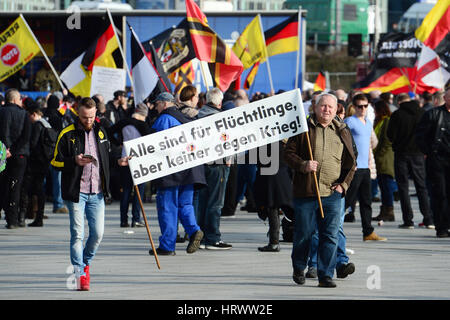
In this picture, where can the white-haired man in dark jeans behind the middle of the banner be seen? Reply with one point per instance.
(211, 199)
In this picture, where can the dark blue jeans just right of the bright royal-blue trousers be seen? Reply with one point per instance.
(210, 202)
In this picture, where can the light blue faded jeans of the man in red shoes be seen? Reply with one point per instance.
(93, 206)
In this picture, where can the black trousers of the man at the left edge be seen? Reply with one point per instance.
(12, 179)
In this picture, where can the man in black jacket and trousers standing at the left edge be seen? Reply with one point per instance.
(15, 130)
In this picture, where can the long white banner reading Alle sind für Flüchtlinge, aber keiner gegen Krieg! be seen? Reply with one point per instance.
(217, 136)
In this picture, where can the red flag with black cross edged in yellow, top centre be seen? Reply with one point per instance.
(224, 66)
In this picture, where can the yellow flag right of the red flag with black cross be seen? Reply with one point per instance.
(250, 47)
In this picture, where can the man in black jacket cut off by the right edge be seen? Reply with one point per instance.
(433, 138)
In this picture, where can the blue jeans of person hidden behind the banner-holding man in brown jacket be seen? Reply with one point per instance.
(341, 256)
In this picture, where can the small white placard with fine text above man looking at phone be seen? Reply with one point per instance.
(106, 81)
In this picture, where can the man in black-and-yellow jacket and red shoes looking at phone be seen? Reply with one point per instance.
(82, 156)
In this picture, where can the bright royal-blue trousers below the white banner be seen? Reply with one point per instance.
(175, 203)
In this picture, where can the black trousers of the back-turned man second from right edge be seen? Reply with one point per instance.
(414, 166)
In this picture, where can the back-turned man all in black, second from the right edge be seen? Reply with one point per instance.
(409, 160)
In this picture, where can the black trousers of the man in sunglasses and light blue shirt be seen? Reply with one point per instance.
(361, 189)
